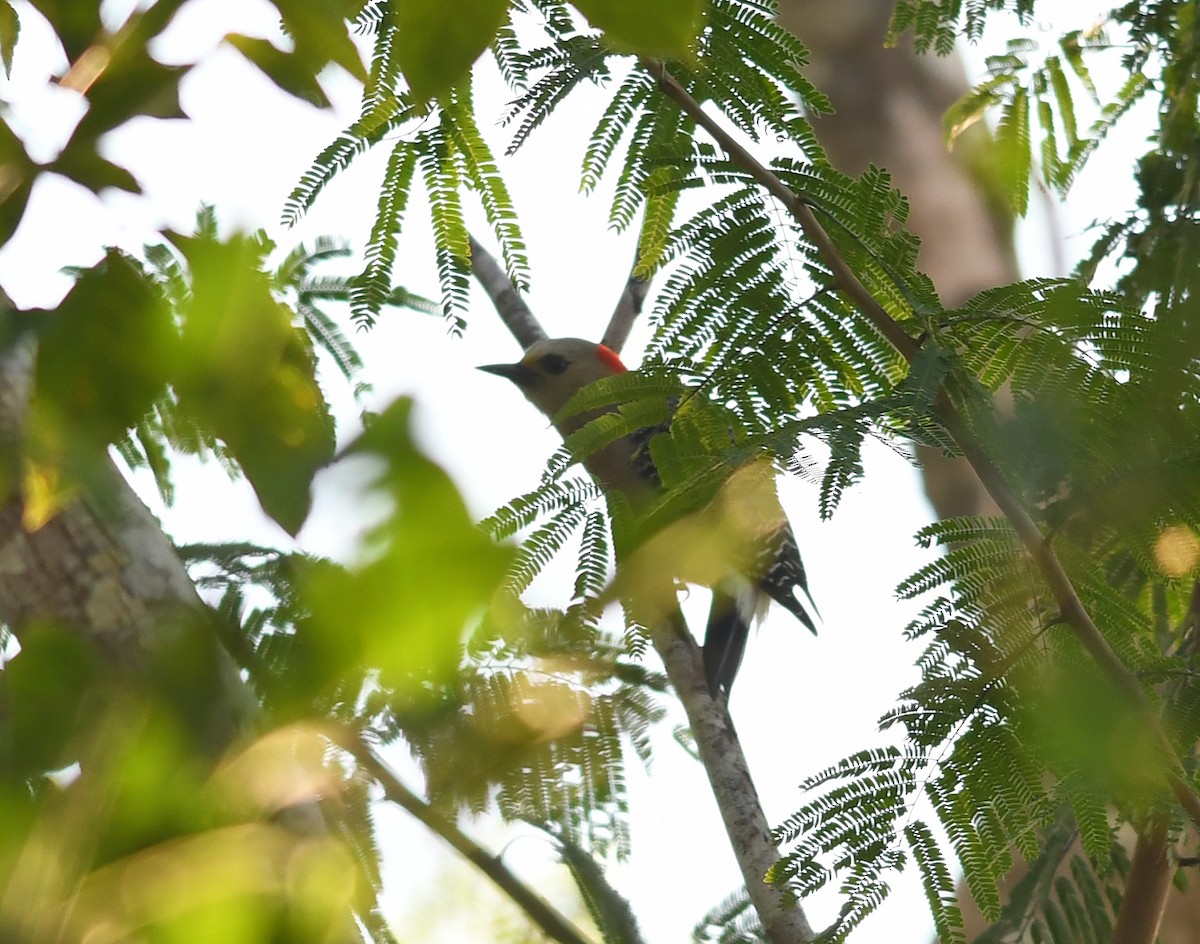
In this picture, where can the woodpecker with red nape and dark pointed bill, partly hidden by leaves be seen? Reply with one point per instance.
(550, 374)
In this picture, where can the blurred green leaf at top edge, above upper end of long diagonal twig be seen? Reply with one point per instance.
(665, 29)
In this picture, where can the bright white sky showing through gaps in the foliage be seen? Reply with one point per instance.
(243, 151)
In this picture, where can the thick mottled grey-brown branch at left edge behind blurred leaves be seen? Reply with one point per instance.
(103, 568)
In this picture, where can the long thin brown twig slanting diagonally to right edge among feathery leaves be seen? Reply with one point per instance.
(1072, 609)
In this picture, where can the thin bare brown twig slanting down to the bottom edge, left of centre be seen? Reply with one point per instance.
(538, 910)
